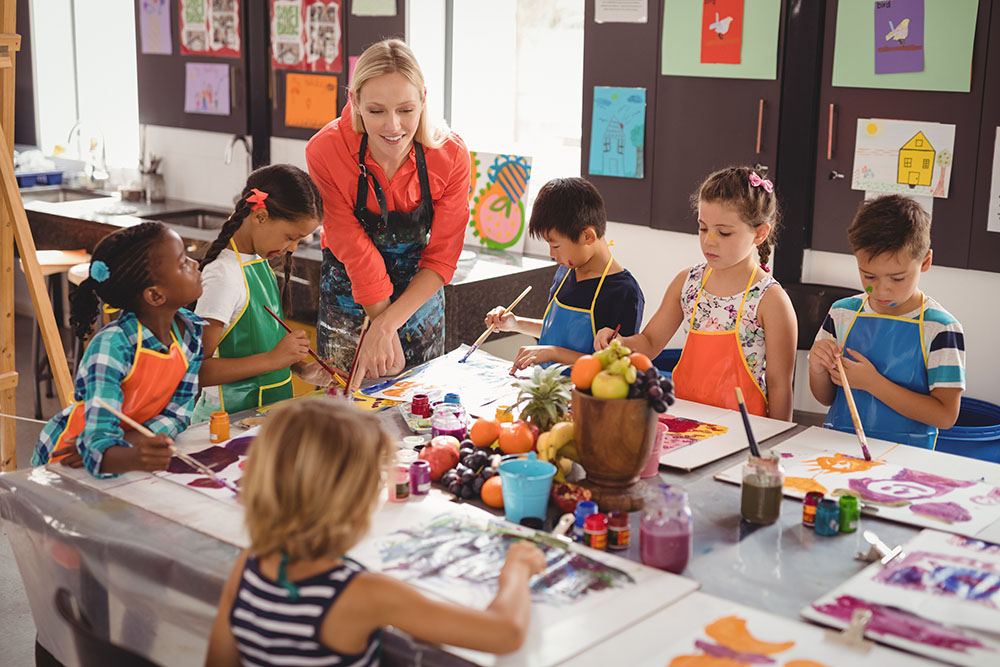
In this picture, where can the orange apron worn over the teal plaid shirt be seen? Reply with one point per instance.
(146, 390)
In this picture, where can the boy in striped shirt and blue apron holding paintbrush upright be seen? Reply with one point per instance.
(904, 355)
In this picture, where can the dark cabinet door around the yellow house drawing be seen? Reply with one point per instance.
(835, 203)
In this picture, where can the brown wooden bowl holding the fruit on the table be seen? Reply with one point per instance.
(614, 438)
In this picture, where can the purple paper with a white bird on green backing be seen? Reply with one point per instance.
(899, 36)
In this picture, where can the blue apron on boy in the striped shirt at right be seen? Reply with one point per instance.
(895, 346)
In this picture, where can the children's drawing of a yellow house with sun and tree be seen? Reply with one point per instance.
(903, 157)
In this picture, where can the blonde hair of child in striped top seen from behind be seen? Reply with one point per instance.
(312, 479)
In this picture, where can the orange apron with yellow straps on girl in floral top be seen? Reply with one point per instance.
(712, 364)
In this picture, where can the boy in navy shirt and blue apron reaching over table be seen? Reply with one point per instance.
(590, 290)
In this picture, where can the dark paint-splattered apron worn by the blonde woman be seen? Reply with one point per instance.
(400, 239)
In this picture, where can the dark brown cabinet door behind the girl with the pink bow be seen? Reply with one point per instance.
(704, 124)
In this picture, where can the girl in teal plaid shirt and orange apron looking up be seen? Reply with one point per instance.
(144, 364)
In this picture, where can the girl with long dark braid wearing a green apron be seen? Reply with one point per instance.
(247, 353)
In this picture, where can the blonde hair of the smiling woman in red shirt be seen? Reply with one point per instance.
(387, 57)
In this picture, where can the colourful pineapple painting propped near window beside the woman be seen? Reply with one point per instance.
(497, 187)
